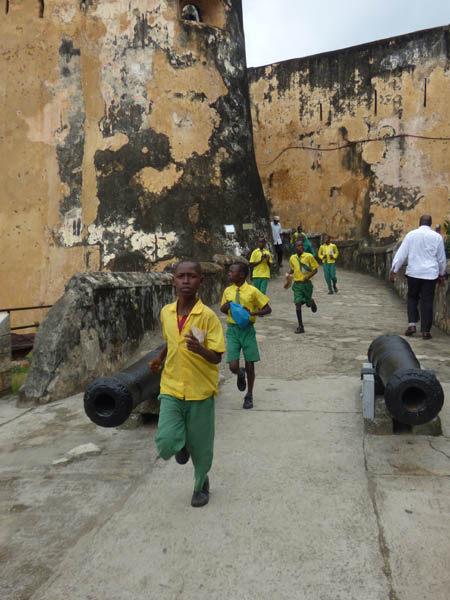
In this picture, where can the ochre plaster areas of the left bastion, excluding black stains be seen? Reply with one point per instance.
(38, 252)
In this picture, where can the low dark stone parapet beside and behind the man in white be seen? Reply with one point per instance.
(377, 260)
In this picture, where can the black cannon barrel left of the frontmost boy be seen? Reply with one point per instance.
(108, 401)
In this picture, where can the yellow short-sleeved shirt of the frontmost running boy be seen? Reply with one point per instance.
(187, 375)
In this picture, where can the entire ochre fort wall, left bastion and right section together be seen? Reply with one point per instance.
(127, 141)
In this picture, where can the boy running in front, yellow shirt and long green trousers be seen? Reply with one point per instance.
(189, 379)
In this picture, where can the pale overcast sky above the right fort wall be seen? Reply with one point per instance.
(277, 30)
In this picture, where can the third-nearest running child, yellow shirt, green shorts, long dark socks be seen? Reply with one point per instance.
(303, 268)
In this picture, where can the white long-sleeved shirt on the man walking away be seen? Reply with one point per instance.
(424, 250)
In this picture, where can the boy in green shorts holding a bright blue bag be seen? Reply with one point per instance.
(257, 304)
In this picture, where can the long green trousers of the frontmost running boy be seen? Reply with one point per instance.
(191, 424)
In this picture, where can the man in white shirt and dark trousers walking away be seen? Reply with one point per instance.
(424, 250)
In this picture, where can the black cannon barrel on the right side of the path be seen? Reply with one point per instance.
(413, 396)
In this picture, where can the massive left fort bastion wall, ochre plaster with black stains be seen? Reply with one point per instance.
(128, 137)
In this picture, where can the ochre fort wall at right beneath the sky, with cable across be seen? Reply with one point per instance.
(312, 120)
